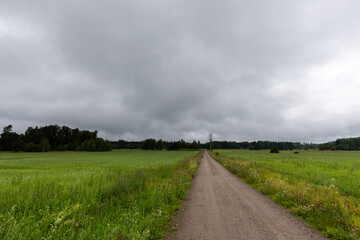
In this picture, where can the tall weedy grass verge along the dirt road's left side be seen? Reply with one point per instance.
(132, 204)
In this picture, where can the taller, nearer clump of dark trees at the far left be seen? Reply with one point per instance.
(52, 138)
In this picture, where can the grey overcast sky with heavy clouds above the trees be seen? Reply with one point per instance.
(171, 69)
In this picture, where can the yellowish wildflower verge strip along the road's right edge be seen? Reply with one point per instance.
(323, 207)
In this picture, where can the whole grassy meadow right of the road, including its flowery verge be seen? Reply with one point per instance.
(322, 187)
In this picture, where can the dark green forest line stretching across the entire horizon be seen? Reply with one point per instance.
(63, 138)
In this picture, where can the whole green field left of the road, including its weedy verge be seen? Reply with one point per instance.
(122, 194)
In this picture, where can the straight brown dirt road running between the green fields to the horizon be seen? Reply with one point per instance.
(221, 206)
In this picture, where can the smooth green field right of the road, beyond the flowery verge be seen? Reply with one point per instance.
(318, 167)
